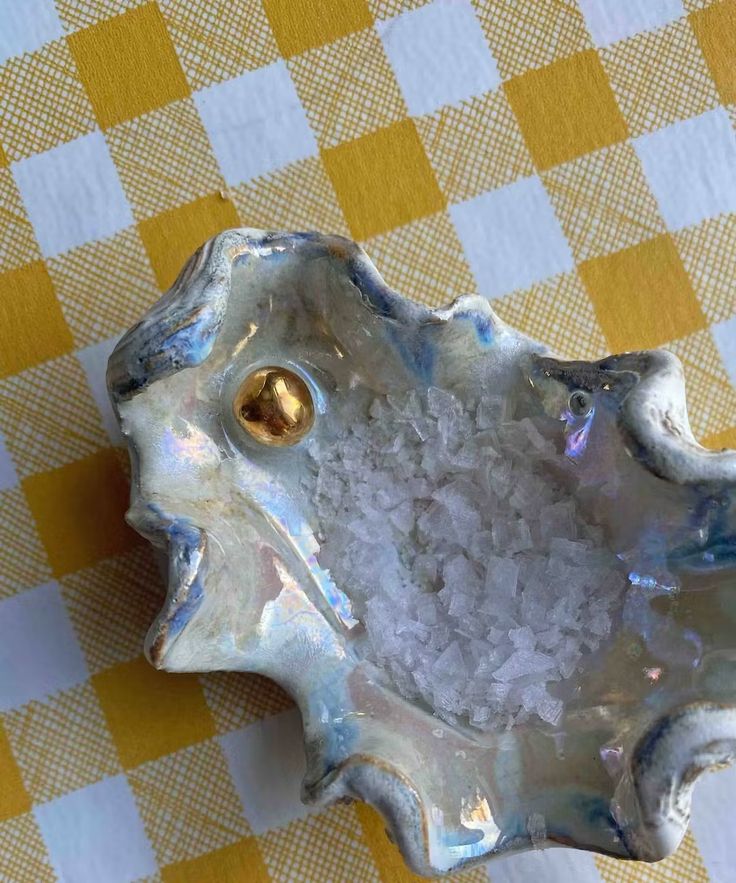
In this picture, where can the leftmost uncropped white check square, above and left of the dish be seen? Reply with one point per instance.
(72, 194)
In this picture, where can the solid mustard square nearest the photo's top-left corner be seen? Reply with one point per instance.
(128, 65)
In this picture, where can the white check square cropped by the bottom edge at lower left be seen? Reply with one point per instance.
(96, 834)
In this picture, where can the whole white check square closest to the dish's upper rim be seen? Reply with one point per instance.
(511, 237)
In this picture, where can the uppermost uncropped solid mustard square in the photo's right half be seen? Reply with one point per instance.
(566, 109)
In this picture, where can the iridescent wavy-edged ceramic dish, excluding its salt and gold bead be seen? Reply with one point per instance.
(246, 592)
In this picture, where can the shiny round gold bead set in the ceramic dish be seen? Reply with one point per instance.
(275, 406)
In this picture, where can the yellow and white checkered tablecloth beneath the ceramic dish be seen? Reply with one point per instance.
(575, 162)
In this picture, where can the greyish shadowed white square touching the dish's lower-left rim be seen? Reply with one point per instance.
(266, 763)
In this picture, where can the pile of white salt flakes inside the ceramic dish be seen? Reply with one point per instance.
(480, 586)
